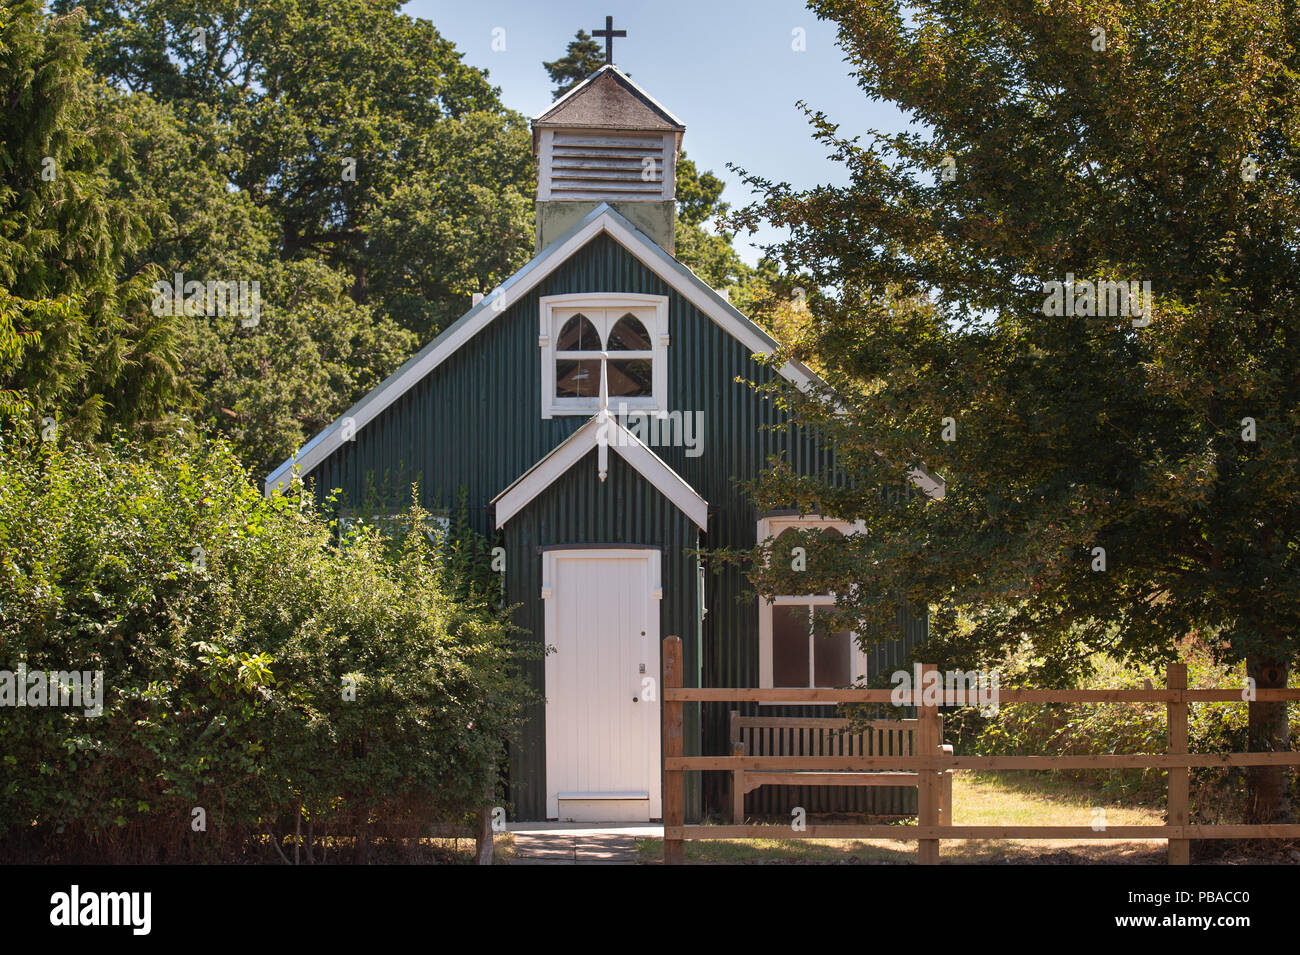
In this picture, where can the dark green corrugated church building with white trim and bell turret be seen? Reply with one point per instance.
(595, 410)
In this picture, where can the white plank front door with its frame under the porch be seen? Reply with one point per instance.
(603, 701)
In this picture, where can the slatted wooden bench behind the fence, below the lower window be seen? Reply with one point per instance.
(792, 736)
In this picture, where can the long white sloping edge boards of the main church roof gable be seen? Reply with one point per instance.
(603, 219)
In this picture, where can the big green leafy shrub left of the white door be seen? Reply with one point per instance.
(229, 628)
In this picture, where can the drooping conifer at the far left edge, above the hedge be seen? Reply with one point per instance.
(102, 358)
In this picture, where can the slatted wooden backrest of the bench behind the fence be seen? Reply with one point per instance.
(790, 736)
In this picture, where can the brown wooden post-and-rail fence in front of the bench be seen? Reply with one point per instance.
(928, 832)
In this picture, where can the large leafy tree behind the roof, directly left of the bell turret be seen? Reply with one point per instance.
(359, 129)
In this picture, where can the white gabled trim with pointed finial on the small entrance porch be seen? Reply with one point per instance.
(601, 432)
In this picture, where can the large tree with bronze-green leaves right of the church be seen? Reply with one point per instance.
(1115, 483)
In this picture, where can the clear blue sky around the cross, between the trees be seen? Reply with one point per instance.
(726, 68)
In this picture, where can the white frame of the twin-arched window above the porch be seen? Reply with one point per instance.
(651, 310)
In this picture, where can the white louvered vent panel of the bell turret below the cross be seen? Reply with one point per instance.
(593, 166)
